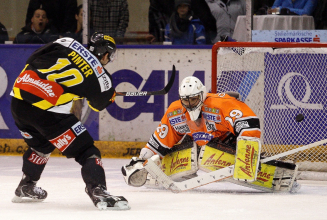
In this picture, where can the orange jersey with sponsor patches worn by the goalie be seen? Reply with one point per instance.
(220, 114)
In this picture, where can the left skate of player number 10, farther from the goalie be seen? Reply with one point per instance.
(27, 191)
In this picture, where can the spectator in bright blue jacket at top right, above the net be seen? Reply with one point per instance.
(295, 7)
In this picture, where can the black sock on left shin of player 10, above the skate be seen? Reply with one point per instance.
(34, 163)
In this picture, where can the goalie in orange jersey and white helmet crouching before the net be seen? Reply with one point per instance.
(208, 132)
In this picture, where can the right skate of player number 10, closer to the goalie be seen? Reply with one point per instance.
(104, 201)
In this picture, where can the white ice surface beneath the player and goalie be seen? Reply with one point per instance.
(222, 200)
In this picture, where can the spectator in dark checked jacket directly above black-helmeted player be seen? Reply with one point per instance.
(109, 16)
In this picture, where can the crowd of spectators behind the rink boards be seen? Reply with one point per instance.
(172, 21)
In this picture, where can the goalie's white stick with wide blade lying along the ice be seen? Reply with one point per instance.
(210, 177)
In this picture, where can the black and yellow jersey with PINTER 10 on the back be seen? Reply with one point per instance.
(60, 72)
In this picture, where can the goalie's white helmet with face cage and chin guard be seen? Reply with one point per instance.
(192, 94)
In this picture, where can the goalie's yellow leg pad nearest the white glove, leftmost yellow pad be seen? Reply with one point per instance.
(181, 162)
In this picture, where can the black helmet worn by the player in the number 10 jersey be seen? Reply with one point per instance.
(100, 44)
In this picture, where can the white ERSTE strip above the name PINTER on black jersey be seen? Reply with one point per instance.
(88, 56)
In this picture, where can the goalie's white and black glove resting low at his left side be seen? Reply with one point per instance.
(134, 173)
